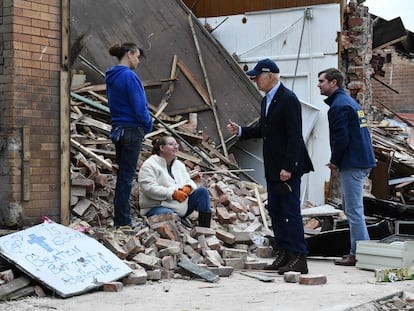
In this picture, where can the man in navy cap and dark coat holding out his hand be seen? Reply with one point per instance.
(285, 161)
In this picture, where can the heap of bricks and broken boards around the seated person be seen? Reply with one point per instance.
(160, 247)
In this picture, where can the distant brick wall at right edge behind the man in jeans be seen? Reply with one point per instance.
(397, 73)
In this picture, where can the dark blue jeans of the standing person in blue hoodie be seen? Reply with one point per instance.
(127, 153)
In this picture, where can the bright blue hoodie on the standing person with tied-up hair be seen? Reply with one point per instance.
(127, 99)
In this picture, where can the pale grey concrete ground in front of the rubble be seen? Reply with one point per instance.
(346, 287)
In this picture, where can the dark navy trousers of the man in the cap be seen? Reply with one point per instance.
(287, 222)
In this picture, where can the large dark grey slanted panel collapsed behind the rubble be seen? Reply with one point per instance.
(162, 28)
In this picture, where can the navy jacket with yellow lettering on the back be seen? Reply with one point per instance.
(350, 140)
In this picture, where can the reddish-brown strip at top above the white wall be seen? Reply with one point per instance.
(211, 8)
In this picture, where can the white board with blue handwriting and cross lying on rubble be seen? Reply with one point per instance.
(63, 259)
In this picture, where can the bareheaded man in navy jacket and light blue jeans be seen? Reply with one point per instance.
(351, 154)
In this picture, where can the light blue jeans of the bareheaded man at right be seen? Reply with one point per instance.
(352, 182)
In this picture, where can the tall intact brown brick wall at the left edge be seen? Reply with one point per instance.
(29, 111)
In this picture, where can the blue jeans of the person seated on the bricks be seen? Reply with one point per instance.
(199, 200)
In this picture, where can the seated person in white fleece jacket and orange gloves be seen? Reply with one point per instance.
(165, 186)
